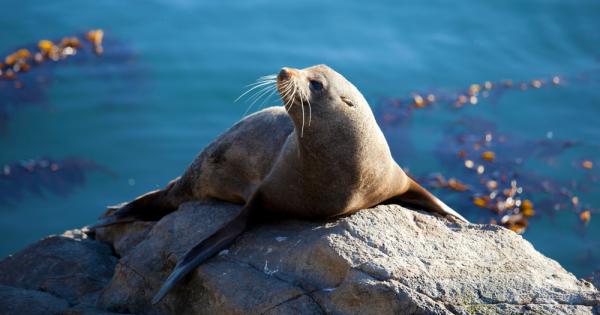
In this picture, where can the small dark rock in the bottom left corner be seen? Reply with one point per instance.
(21, 301)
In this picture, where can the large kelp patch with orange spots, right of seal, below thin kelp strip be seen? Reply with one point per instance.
(488, 169)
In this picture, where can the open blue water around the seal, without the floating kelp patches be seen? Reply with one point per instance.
(144, 109)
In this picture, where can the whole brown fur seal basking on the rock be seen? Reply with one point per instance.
(319, 156)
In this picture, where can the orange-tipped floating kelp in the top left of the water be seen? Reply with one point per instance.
(26, 72)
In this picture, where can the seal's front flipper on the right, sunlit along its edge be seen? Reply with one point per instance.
(420, 197)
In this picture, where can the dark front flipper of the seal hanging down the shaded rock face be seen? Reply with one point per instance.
(204, 250)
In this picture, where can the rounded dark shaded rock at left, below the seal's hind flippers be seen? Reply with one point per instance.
(71, 267)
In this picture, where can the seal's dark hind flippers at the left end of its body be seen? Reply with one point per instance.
(148, 207)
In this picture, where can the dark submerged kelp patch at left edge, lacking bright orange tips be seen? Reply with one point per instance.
(40, 176)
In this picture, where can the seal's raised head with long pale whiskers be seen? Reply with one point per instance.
(320, 95)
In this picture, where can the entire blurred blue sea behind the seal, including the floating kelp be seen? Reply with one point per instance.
(492, 105)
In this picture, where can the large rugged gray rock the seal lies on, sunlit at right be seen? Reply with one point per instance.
(385, 260)
